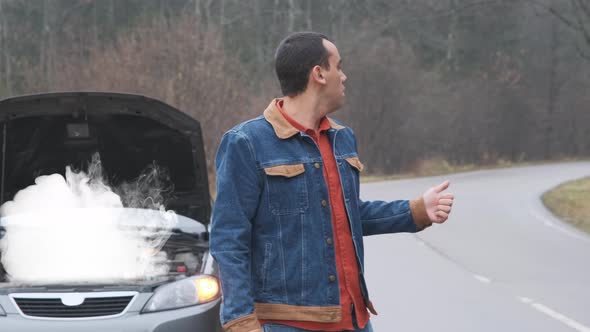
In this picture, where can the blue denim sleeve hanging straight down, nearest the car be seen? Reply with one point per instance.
(238, 193)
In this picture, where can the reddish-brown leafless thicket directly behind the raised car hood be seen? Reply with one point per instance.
(190, 79)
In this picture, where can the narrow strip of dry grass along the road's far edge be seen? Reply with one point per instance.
(435, 167)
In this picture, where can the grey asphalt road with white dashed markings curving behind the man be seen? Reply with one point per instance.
(502, 262)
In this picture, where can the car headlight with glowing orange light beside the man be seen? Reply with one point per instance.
(183, 293)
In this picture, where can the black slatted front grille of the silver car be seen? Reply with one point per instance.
(53, 307)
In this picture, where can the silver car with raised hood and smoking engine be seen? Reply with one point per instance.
(41, 135)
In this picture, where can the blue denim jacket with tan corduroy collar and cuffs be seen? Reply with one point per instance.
(270, 229)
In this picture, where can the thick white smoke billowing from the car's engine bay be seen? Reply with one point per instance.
(77, 230)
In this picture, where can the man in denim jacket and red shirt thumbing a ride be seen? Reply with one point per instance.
(288, 221)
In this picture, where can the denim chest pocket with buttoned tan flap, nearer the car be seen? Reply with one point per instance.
(287, 189)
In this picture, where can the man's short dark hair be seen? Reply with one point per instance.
(296, 56)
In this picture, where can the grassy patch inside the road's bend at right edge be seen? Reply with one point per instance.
(570, 201)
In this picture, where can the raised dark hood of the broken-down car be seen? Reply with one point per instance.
(42, 134)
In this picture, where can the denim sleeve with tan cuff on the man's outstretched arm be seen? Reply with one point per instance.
(378, 217)
